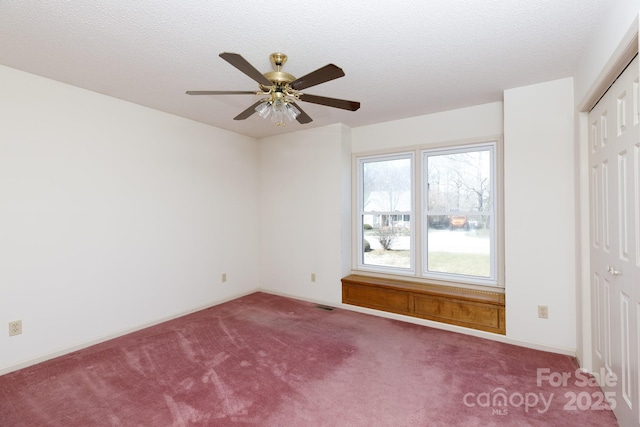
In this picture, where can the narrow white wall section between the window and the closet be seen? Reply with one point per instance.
(540, 214)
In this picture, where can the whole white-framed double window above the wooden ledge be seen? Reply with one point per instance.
(436, 219)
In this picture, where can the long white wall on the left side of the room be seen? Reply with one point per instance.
(113, 216)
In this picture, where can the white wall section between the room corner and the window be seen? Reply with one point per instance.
(304, 227)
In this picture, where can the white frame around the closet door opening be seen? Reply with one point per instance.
(624, 53)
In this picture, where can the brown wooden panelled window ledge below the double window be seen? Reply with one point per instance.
(482, 310)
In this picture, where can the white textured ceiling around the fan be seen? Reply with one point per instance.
(401, 59)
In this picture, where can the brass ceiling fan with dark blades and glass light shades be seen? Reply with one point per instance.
(281, 90)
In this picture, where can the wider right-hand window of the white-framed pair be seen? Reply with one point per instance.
(458, 195)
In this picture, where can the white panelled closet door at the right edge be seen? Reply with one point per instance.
(614, 160)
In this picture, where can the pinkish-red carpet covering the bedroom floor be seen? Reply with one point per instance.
(264, 360)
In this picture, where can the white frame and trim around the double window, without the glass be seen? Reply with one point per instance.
(418, 226)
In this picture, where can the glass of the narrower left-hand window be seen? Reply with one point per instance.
(386, 212)
